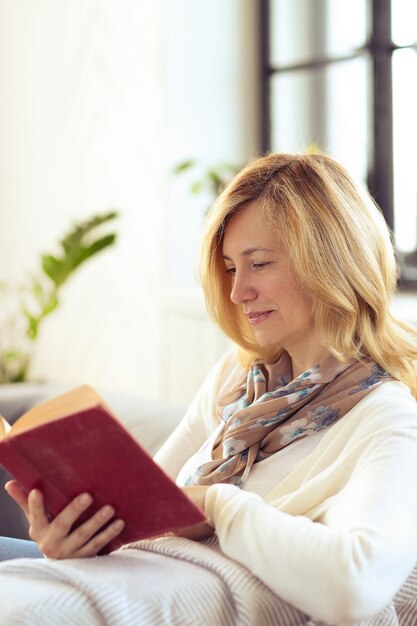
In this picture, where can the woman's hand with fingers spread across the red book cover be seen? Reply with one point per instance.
(54, 538)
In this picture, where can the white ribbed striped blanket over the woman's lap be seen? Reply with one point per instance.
(170, 581)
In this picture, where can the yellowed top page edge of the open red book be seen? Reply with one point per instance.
(74, 401)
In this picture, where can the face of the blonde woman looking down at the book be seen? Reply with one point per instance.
(263, 284)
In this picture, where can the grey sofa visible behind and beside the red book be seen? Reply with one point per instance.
(149, 421)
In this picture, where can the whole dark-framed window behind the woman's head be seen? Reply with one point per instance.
(342, 75)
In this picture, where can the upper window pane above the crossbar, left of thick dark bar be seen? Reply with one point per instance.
(304, 30)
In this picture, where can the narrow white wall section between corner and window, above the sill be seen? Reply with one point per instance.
(211, 74)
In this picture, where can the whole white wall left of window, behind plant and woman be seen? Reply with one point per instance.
(99, 99)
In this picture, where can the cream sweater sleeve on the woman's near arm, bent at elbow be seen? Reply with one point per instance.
(349, 564)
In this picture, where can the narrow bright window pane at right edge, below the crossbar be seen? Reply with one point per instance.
(405, 154)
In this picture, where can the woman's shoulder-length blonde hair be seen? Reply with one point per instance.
(341, 252)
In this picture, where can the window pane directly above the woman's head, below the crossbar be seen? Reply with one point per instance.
(326, 108)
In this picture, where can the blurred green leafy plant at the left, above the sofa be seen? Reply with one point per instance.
(25, 307)
